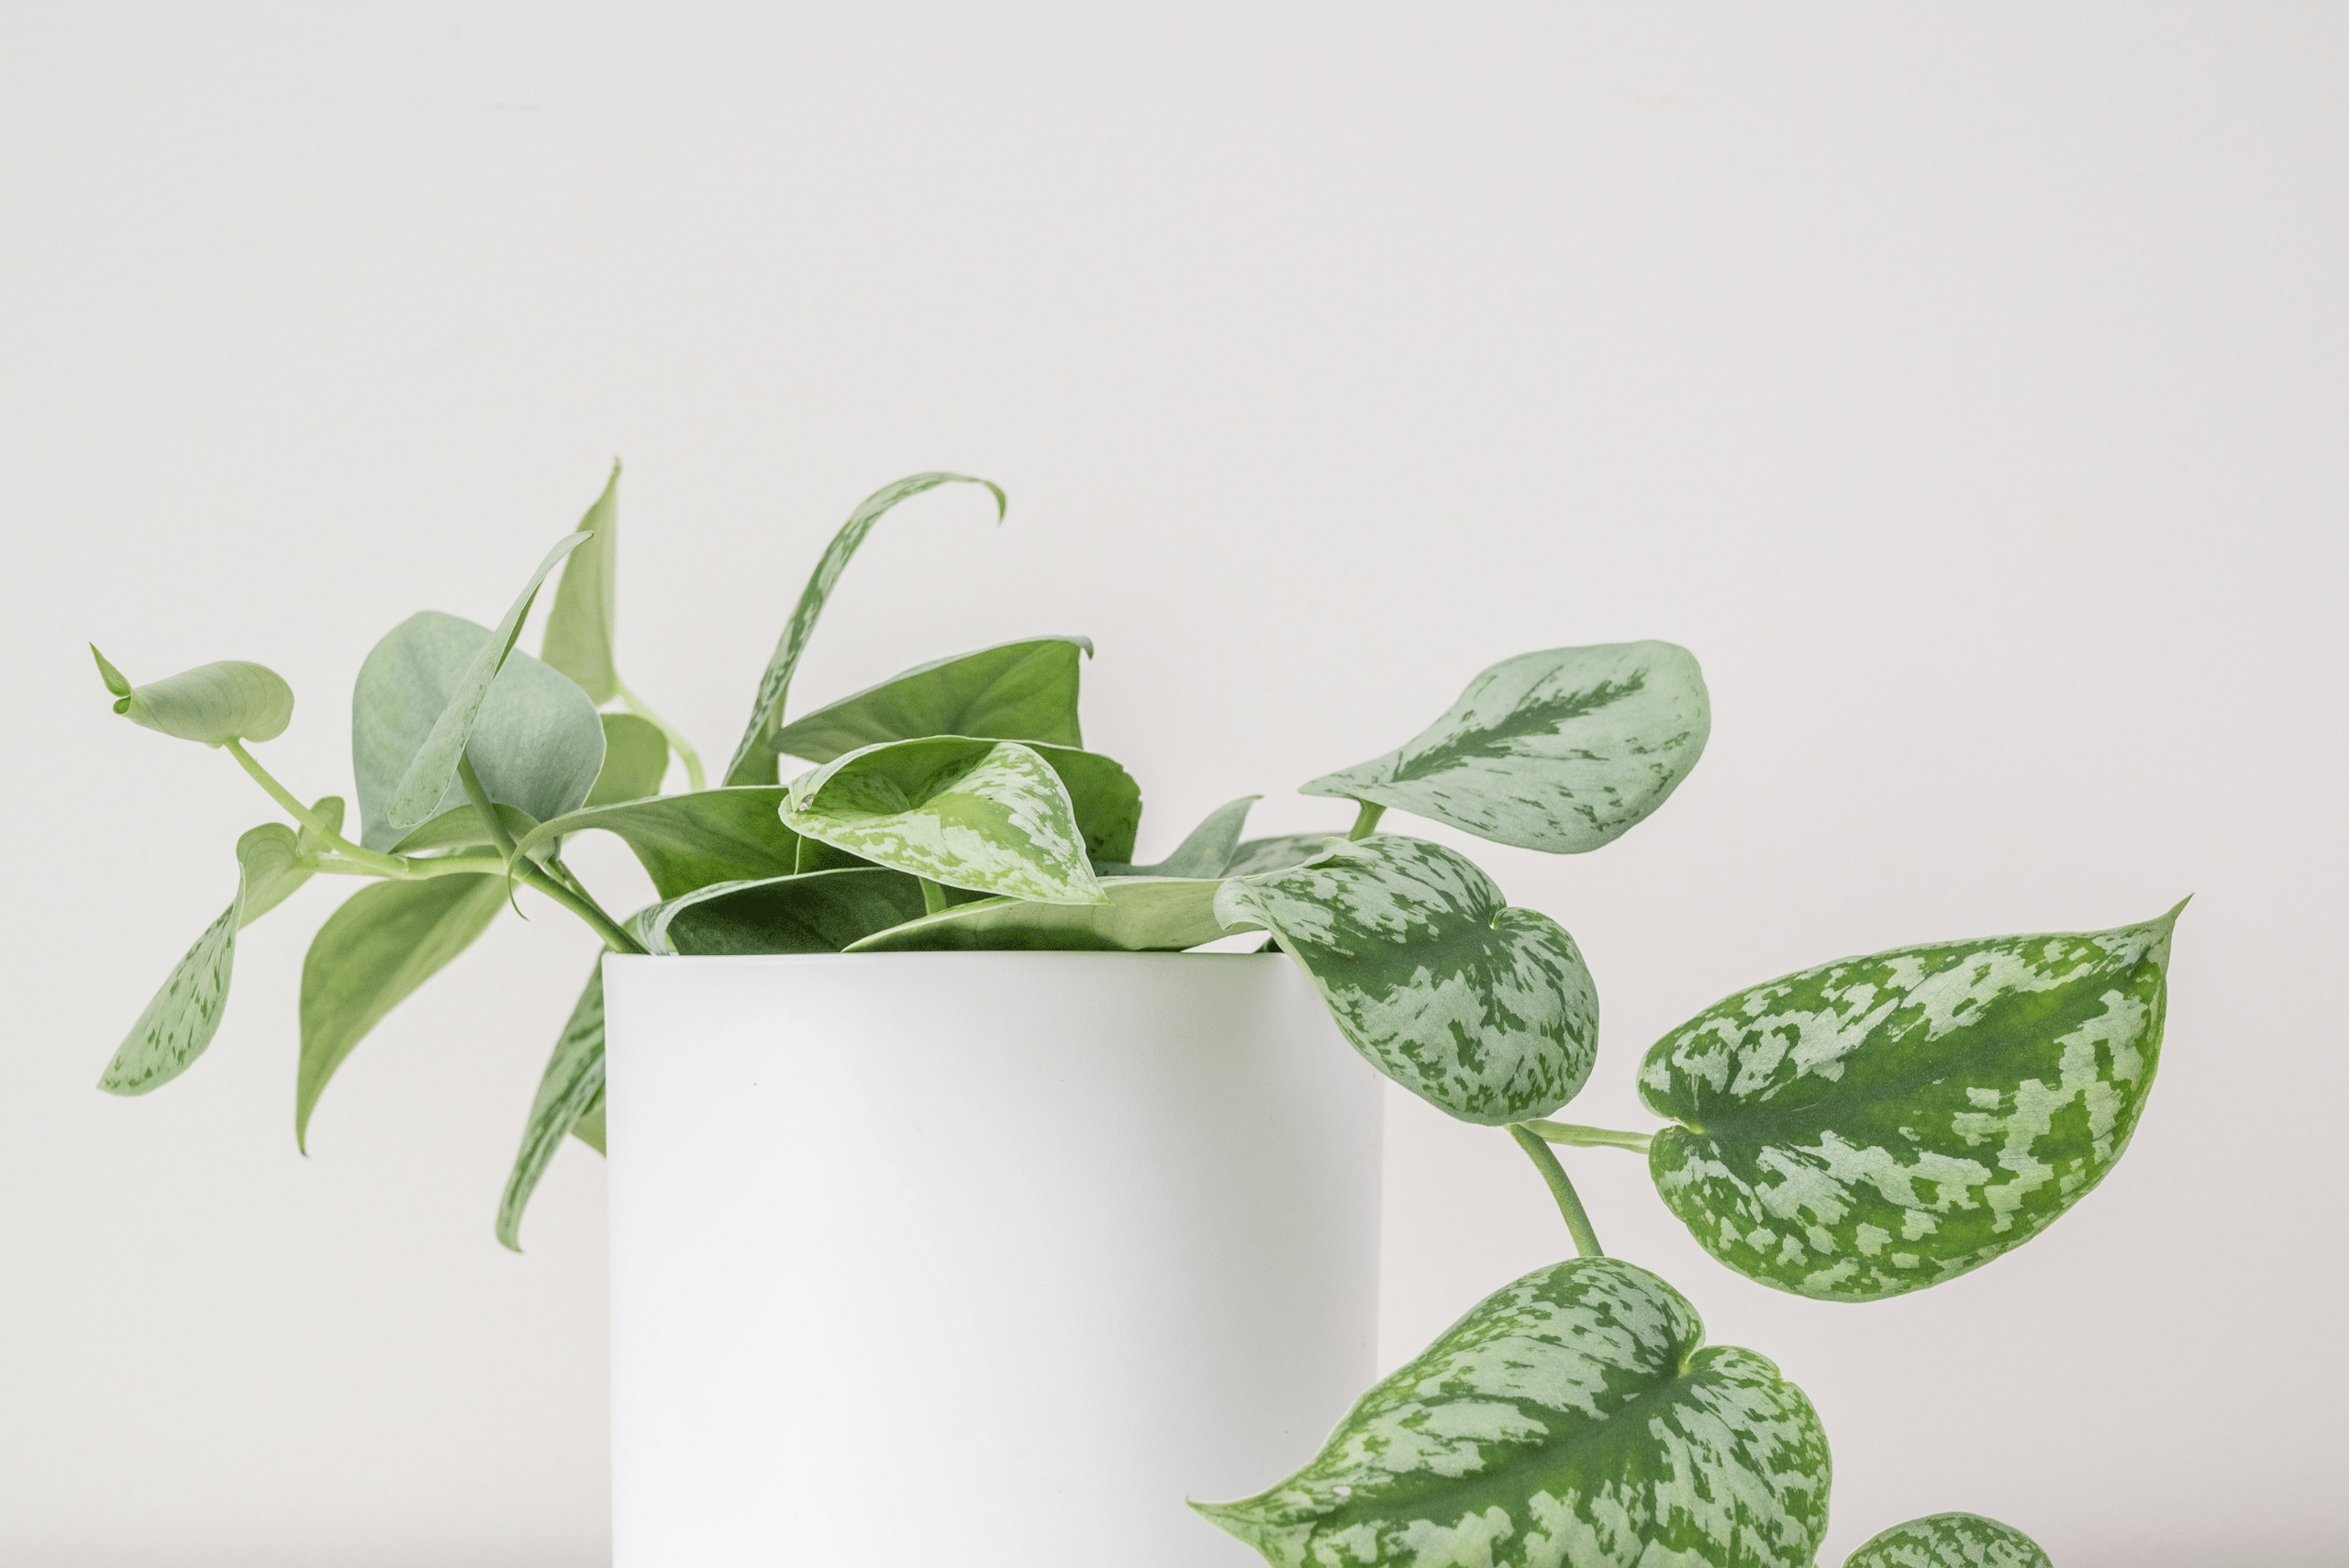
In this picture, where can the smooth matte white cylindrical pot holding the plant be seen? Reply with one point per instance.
(976, 1257)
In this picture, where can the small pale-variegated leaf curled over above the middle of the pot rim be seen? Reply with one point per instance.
(960, 811)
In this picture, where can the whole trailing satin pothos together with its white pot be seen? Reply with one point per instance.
(962, 1208)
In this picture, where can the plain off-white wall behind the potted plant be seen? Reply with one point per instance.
(1965, 386)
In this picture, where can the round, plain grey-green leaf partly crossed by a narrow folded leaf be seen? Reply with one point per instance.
(537, 741)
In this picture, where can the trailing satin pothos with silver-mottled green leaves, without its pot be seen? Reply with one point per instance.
(1855, 1133)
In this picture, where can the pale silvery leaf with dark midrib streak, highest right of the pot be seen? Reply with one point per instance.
(1559, 750)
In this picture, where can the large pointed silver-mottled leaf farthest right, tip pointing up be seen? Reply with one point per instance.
(1887, 1123)
